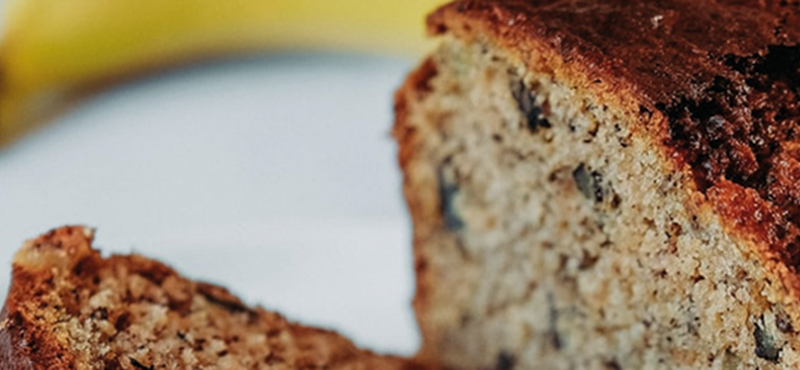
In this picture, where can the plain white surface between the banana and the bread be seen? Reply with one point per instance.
(275, 177)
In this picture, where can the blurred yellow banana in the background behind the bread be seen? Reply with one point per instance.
(54, 53)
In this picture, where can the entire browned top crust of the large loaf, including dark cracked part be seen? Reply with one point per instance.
(715, 82)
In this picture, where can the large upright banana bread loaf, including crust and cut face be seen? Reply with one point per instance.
(607, 184)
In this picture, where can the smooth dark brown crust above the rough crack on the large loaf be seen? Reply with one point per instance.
(663, 50)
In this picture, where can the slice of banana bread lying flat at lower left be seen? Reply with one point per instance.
(69, 308)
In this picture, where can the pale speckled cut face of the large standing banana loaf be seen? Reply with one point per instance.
(550, 233)
